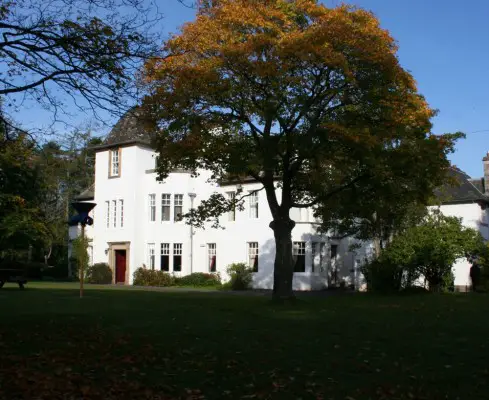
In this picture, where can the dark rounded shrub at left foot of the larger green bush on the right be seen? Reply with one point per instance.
(383, 277)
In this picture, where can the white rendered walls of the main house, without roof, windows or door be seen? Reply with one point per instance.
(138, 180)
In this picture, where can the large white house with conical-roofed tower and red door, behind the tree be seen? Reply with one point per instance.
(136, 223)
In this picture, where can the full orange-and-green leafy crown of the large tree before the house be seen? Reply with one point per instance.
(293, 80)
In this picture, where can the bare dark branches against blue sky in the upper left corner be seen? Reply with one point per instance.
(85, 54)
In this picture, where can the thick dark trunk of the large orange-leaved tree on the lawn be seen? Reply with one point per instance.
(283, 271)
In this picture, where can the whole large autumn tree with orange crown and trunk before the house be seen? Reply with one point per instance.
(309, 101)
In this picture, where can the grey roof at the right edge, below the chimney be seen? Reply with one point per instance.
(463, 189)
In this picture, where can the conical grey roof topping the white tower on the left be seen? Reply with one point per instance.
(129, 129)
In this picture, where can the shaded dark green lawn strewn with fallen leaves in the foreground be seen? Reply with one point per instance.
(134, 344)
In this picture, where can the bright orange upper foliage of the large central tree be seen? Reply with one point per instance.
(262, 48)
